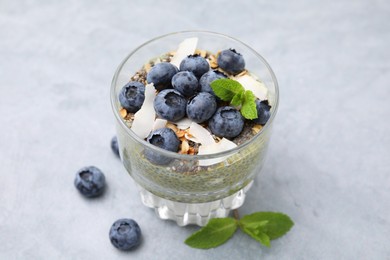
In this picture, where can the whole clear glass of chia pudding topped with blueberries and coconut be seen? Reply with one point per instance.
(190, 151)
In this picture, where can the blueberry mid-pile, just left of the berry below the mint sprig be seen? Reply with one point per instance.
(201, 107)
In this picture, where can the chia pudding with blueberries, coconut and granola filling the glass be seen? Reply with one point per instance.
(191, 160)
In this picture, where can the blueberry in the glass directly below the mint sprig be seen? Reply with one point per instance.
(226, 122)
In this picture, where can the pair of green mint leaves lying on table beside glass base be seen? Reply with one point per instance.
(261, 226)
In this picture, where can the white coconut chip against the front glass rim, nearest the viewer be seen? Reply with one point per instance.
(221, 146)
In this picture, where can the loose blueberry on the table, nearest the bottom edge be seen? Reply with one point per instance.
(125, 234)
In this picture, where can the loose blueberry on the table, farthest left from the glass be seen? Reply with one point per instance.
(90, 181)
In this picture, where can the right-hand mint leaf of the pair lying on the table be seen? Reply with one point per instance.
(278, 223)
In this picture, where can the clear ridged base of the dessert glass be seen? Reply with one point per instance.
(193, 213)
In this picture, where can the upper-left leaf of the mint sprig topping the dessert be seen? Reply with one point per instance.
(226, 89)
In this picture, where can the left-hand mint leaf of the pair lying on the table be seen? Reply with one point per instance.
(215, 233)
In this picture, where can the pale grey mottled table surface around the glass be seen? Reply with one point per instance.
(328, 165)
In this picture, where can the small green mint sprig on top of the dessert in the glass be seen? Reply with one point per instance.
(233, 92)
